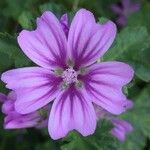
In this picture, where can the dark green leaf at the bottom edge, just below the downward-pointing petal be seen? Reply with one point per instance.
(100, 140)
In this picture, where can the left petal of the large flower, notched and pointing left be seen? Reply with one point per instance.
(35, 87)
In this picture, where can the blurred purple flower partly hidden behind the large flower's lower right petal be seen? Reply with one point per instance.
(121, 127)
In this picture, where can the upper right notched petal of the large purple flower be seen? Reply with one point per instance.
(87, 40)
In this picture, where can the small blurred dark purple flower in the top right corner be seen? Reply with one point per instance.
(124, 10)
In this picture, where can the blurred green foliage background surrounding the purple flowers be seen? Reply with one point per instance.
(132, 46)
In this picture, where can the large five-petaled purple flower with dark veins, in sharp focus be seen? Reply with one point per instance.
(68, 74)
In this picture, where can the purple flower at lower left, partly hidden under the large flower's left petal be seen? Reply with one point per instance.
(14, 120)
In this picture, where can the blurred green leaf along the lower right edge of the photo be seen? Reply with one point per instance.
(138, 116)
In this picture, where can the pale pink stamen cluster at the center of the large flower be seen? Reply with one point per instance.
(69, 76)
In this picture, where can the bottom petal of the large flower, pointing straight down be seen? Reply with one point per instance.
(71, 110)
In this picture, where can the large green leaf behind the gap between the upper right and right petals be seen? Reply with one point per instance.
(132, 46)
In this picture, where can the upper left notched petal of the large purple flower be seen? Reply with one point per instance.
(46, 46)
